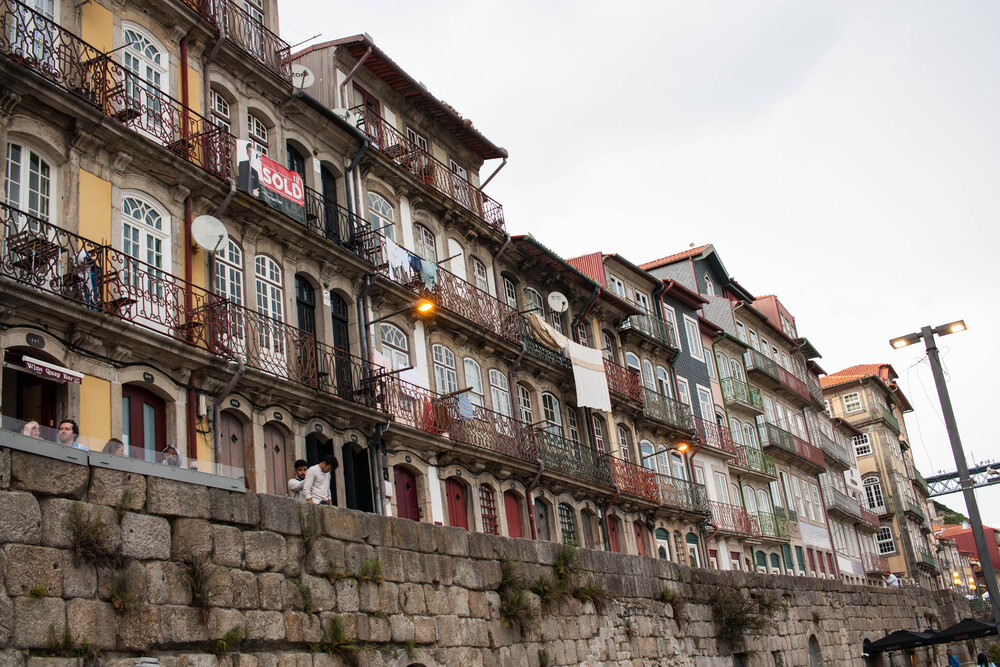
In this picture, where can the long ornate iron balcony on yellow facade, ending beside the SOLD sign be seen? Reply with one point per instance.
(42, 46)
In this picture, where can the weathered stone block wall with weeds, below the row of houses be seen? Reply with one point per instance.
(437, 604)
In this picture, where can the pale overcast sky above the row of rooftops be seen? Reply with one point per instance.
(842, 155)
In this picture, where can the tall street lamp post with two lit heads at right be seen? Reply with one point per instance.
(985, 555)
